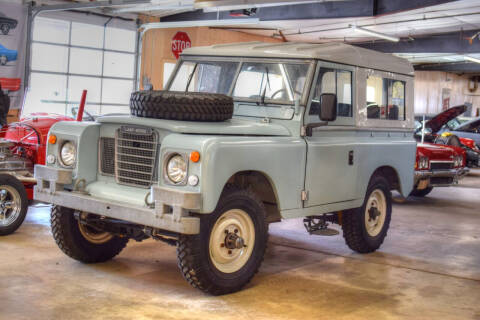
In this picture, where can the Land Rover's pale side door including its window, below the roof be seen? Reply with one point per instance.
(331, 165)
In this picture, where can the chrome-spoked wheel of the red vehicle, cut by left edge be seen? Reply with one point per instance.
(13, 204)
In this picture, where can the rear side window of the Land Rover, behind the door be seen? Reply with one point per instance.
(385, 98)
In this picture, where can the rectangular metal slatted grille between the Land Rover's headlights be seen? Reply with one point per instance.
(135, 157)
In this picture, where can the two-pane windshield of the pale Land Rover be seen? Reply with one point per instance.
(257, 81)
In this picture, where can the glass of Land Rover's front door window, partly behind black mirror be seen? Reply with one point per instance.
(334, 81)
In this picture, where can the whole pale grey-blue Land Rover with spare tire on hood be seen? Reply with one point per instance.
(322, 132)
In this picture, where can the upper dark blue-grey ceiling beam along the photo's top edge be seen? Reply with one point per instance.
(317, 10)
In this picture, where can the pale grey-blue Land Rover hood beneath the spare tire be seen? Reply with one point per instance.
(230, 127)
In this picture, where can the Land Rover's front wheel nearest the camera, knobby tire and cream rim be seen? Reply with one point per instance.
(229, 249)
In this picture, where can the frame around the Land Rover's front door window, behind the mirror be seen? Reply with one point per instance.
(340, 121)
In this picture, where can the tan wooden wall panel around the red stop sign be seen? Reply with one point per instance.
(157, 47)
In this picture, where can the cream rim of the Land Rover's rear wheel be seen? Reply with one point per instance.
(375, 212)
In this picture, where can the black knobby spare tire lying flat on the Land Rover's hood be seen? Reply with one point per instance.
(187, 106)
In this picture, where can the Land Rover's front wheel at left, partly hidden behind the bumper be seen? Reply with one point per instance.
(82, 242)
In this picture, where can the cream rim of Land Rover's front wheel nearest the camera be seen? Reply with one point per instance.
(232, 240)
